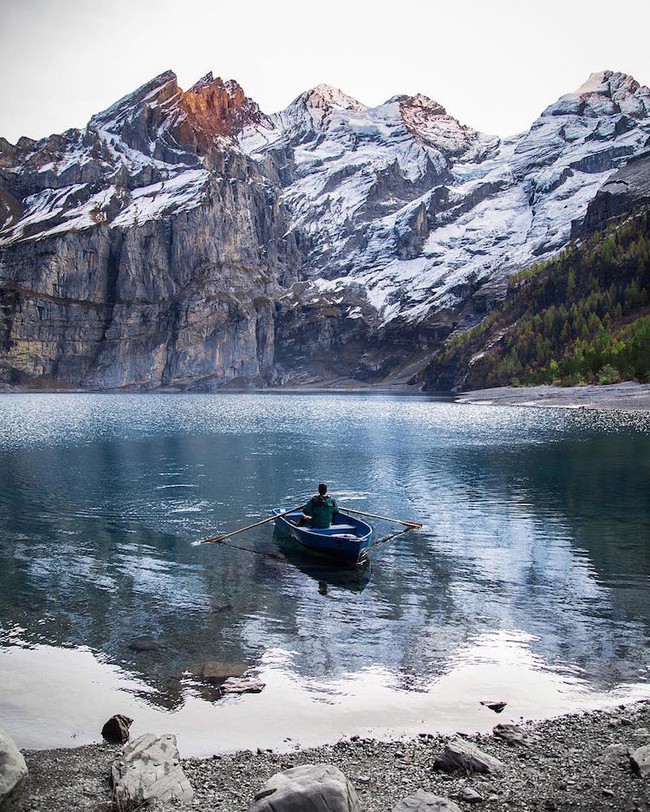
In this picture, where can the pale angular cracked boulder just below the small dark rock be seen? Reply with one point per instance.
(149, 771)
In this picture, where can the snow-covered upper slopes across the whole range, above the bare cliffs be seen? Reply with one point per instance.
(400, 199)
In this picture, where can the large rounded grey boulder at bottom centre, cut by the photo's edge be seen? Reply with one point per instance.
(316, 787)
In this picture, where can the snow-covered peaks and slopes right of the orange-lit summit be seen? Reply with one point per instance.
(409, 203)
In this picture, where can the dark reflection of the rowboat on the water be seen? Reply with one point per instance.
(327, 572)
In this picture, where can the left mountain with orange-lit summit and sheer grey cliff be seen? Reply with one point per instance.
(145, 251)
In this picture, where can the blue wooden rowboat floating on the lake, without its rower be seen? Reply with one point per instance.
(346, 539)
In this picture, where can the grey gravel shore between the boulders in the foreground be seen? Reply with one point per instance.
(576, 762)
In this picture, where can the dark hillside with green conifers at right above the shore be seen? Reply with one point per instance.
(581, 317)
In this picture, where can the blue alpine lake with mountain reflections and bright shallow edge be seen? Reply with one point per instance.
(528, 583)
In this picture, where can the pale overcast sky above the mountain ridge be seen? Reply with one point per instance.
(493, 64)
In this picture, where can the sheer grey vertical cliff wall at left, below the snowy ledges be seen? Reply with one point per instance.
(184, 301)
